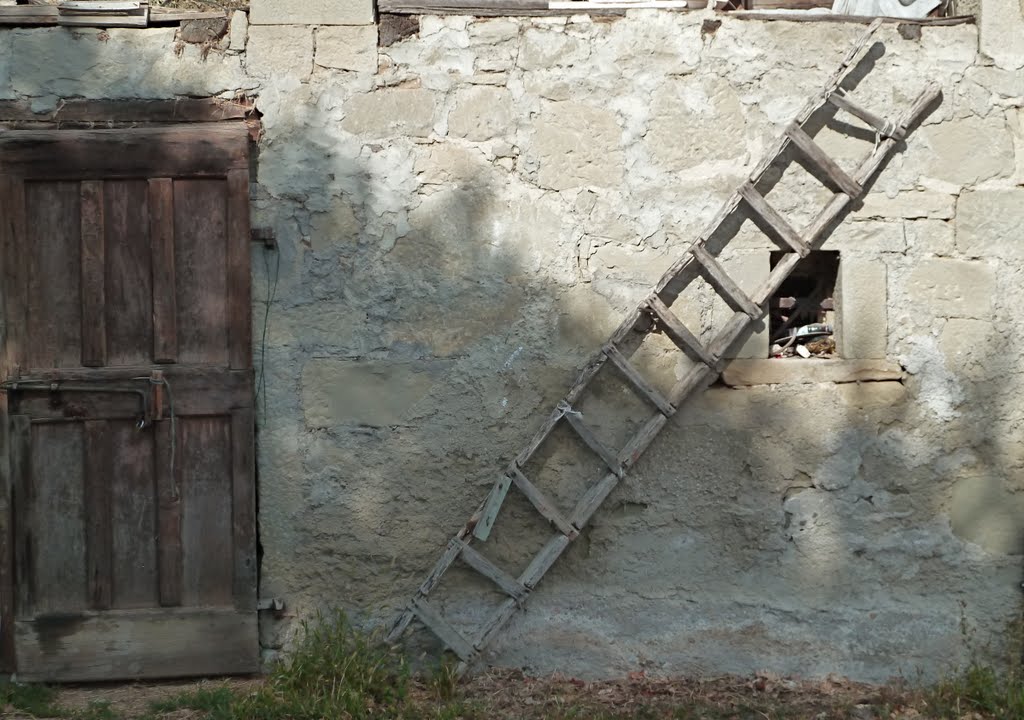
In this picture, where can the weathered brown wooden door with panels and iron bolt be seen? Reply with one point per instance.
(129, 543)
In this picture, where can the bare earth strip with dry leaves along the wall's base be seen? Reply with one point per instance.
(514, 696)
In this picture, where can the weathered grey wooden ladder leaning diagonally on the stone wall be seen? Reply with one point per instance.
(654, 315)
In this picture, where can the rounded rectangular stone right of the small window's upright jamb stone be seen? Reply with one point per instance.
(948, 288)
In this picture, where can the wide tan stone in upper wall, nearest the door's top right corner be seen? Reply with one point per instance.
(392, 112)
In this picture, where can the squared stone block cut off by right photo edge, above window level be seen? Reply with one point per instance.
(989, 224)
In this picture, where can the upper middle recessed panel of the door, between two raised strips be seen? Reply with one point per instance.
(130, 274)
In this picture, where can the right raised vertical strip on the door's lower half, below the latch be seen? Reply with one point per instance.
(168, 490)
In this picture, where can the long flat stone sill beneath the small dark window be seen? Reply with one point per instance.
(792, 371)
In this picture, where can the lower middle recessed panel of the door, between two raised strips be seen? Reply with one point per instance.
(134, 518)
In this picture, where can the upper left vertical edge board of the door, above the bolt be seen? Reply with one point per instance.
(14, 278)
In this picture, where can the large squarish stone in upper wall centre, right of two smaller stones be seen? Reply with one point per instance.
(577, 145)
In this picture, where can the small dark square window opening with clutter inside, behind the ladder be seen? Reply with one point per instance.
(802, 314)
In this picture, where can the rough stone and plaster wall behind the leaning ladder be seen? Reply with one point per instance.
(464, 215)
